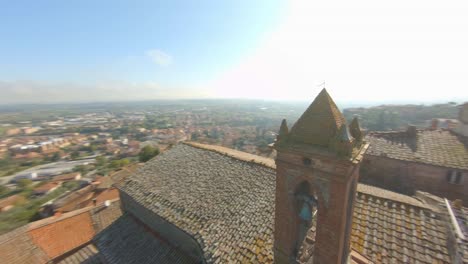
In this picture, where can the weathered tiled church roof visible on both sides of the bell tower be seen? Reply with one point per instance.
(227, 205)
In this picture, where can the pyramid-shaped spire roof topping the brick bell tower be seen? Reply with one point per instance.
(319, 123)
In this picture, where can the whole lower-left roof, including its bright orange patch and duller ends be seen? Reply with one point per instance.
(54, 237)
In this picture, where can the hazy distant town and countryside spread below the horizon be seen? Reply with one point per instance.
(58, 158)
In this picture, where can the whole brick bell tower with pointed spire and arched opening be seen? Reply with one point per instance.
(317, 169)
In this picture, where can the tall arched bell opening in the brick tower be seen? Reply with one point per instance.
(306, 214)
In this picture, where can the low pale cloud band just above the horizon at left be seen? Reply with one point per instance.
(61, 92)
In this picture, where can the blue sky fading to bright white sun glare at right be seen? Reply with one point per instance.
(362, 51)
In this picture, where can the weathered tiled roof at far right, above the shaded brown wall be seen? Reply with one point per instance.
(435, 147)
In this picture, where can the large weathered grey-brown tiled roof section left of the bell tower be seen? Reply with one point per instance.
(226, 204)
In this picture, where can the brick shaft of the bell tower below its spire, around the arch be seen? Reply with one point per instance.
(331, 181)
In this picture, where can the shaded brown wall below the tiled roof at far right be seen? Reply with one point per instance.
(407, 177)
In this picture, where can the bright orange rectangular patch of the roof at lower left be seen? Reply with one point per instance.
(59, 237)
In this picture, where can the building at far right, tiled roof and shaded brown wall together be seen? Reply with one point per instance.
(433, 160)
